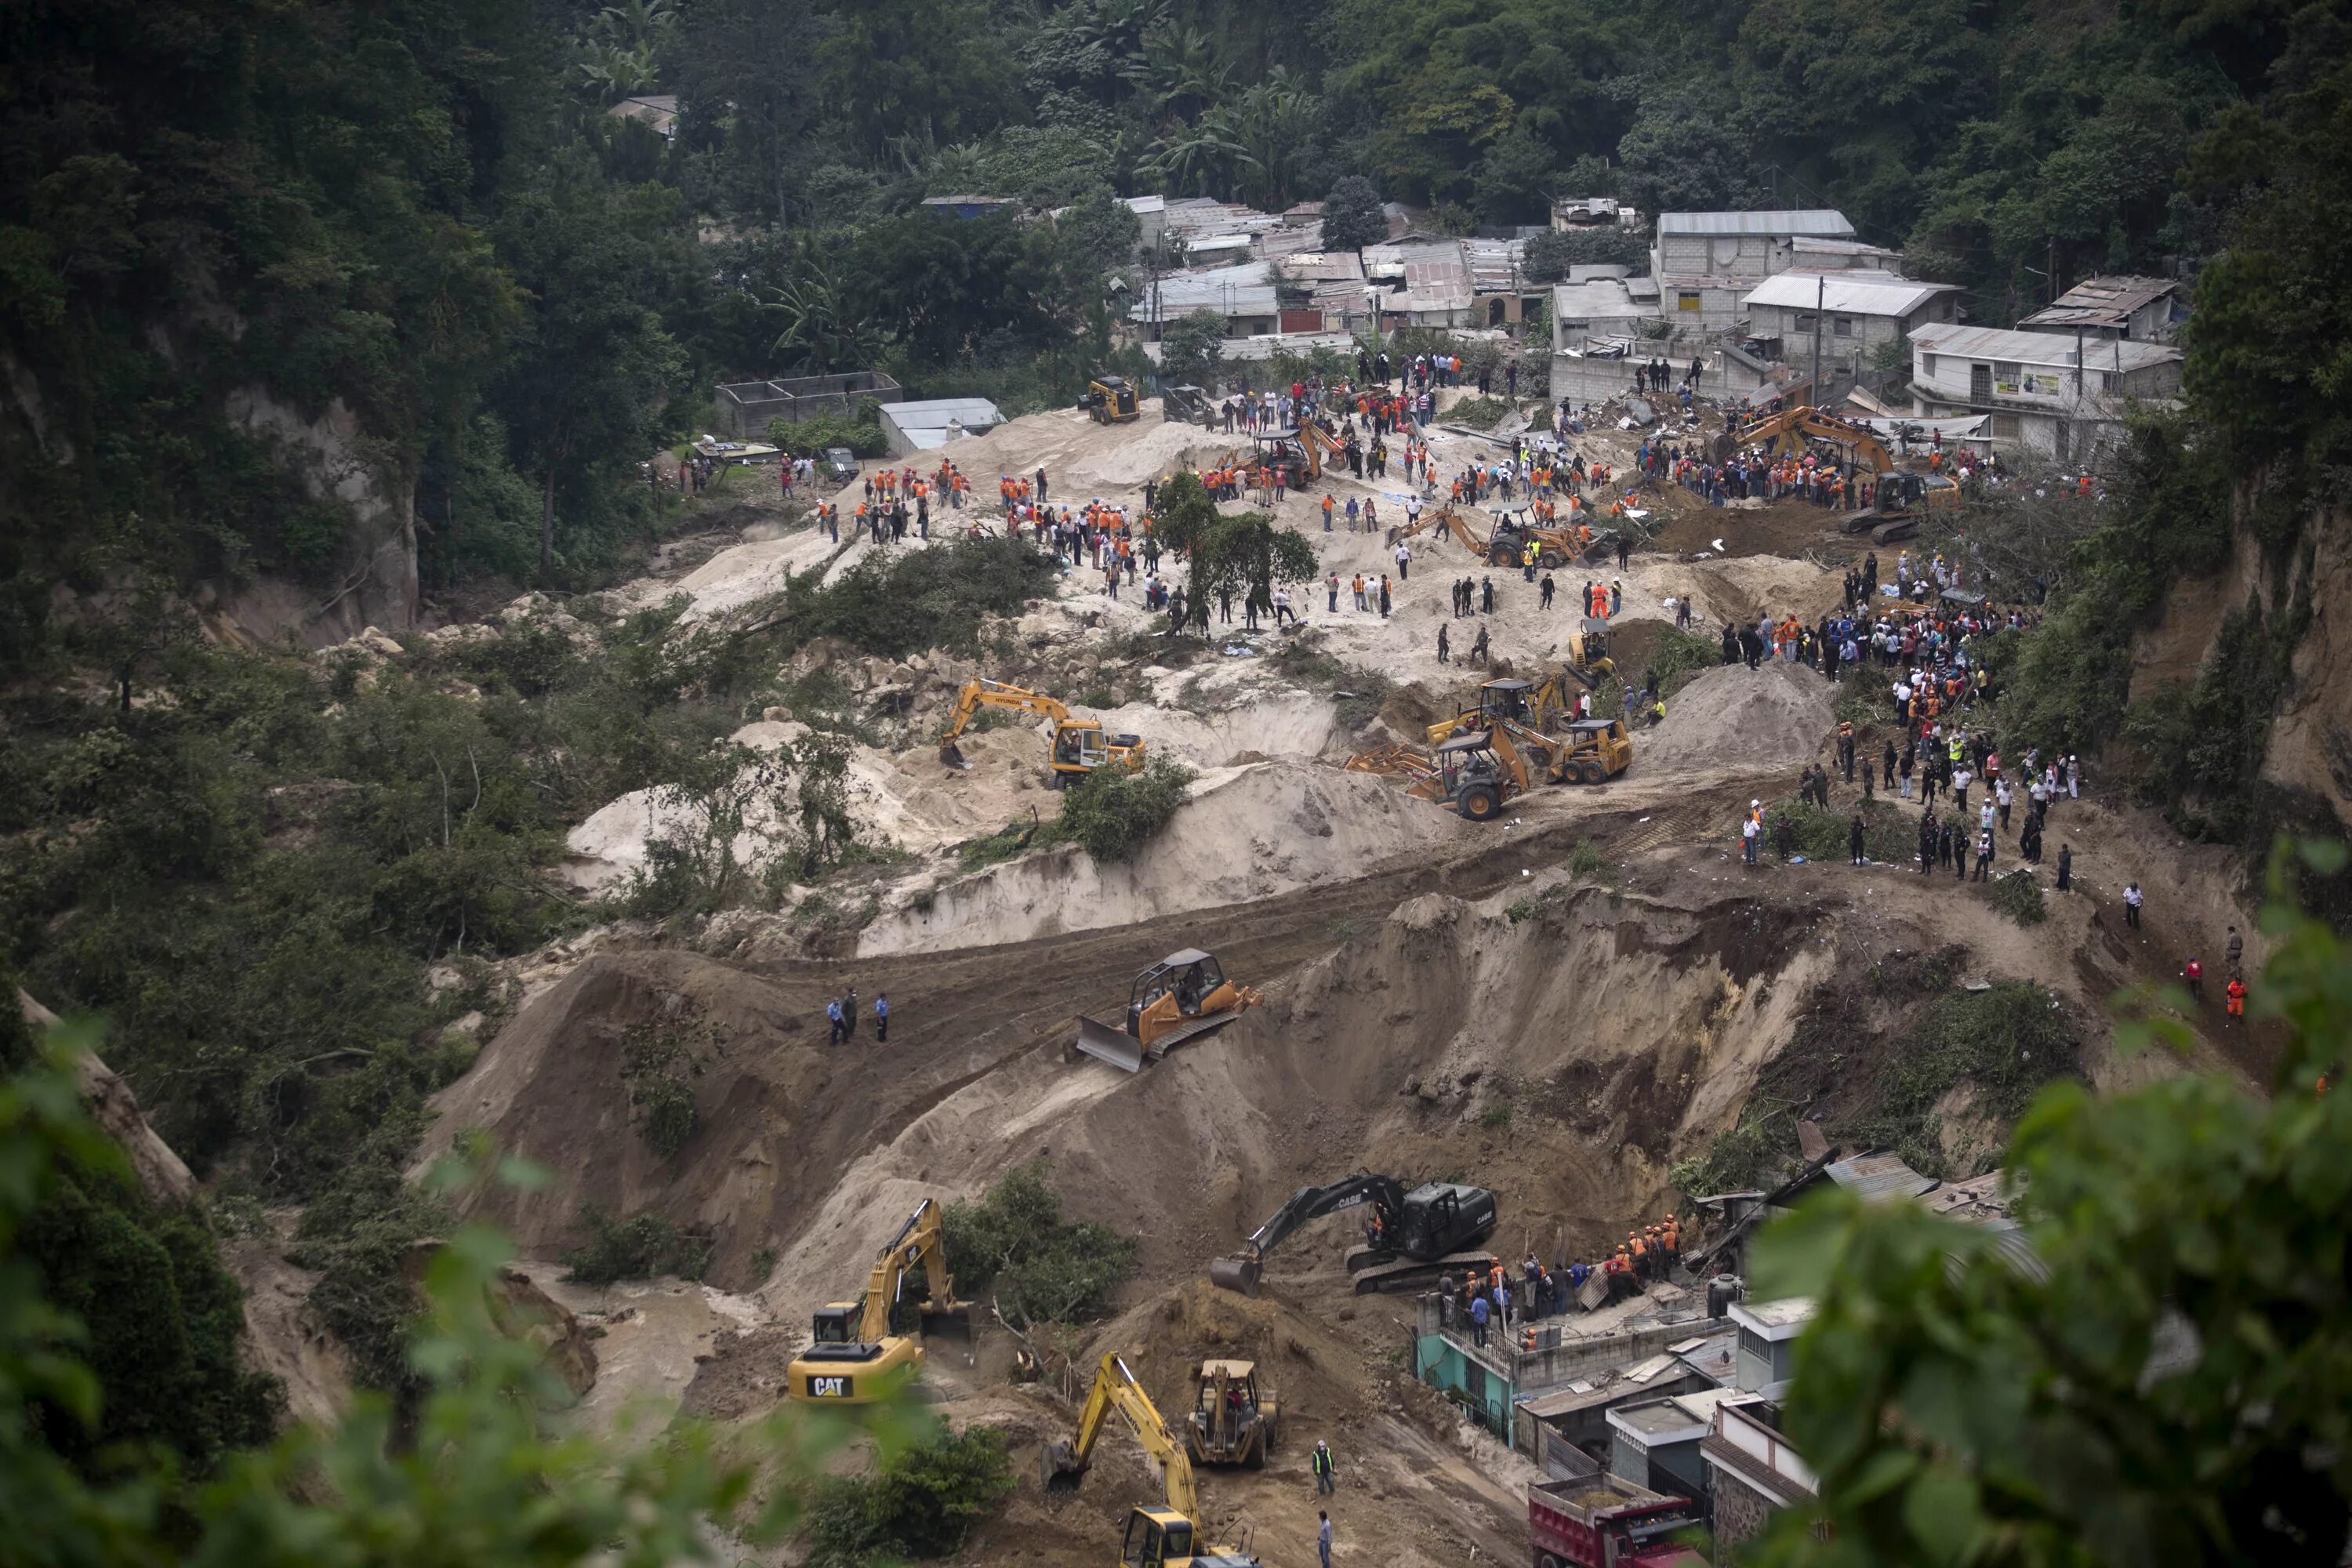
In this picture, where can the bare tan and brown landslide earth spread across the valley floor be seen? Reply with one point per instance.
(1558, 1005)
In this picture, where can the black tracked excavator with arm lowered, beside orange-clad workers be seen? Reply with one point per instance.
(1410, 1238)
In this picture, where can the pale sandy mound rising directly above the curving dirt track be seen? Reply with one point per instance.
(1250, 831)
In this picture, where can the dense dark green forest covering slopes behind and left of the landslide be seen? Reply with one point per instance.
(420, 220)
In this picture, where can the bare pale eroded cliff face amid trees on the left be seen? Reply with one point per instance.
(375, 582)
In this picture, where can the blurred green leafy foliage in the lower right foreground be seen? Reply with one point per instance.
(2167, 1383)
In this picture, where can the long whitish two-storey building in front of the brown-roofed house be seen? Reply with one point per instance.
(2057, 396)
